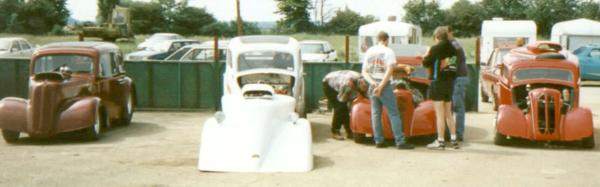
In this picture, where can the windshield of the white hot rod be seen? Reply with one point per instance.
(266, 59)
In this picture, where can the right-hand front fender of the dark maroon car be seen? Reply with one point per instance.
(79, 115)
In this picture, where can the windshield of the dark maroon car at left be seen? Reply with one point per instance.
(74, 63)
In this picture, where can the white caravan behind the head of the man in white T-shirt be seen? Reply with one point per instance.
(400, 34)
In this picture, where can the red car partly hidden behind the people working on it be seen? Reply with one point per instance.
(418, 119)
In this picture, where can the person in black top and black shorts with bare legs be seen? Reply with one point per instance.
(440, 90)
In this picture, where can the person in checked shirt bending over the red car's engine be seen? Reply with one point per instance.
(338, 87)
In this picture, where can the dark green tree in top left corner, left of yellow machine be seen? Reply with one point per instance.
(40, 16)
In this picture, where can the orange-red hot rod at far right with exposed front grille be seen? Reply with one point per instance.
(538, 97)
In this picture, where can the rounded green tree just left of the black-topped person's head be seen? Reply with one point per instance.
(427, 15)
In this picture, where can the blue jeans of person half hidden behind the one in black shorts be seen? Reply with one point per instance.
(458, 103)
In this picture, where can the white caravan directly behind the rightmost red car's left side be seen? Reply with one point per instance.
(498, 33)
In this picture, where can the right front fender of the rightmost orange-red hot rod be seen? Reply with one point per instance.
(578, 124)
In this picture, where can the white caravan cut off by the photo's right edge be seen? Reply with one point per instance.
(576, 33)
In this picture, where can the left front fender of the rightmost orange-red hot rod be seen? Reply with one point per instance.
(511, 122)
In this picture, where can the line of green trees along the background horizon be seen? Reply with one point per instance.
(50, 16)
